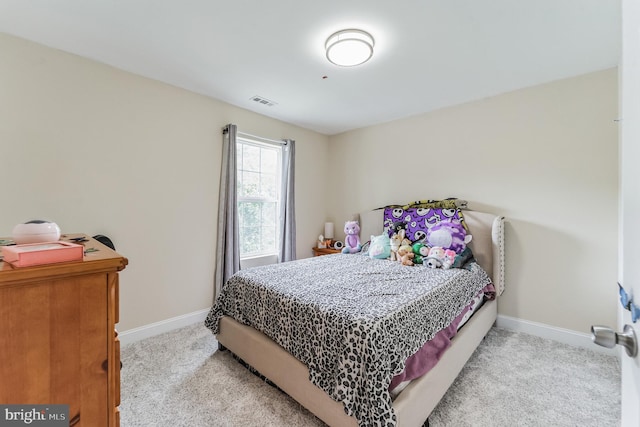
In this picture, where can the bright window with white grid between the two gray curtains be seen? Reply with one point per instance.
(258, 166)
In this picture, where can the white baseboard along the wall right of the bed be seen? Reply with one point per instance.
(565, 336)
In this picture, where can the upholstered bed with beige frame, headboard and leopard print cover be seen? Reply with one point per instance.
(278, 357)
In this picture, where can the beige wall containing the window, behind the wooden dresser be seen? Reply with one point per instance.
(99, 150)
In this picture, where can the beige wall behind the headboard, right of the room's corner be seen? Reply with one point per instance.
(544, 157)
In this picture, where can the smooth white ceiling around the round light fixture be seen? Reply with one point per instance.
(428, 54)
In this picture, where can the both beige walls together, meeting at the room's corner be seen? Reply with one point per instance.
(99, 150)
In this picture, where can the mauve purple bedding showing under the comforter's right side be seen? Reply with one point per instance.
(429, 354)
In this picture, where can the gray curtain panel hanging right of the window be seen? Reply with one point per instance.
(287, 204)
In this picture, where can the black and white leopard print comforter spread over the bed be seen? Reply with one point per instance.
(352, 320)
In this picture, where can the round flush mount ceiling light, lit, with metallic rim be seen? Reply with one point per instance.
(348, 48)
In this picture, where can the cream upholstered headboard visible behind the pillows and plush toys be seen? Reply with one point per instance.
(487, 244)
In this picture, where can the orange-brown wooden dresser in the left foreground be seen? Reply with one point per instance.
(58, 343)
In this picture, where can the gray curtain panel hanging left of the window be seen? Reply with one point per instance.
(228, 252)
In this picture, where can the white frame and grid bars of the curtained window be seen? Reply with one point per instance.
(261, 256)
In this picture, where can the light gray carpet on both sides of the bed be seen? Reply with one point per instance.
(513, 379)
